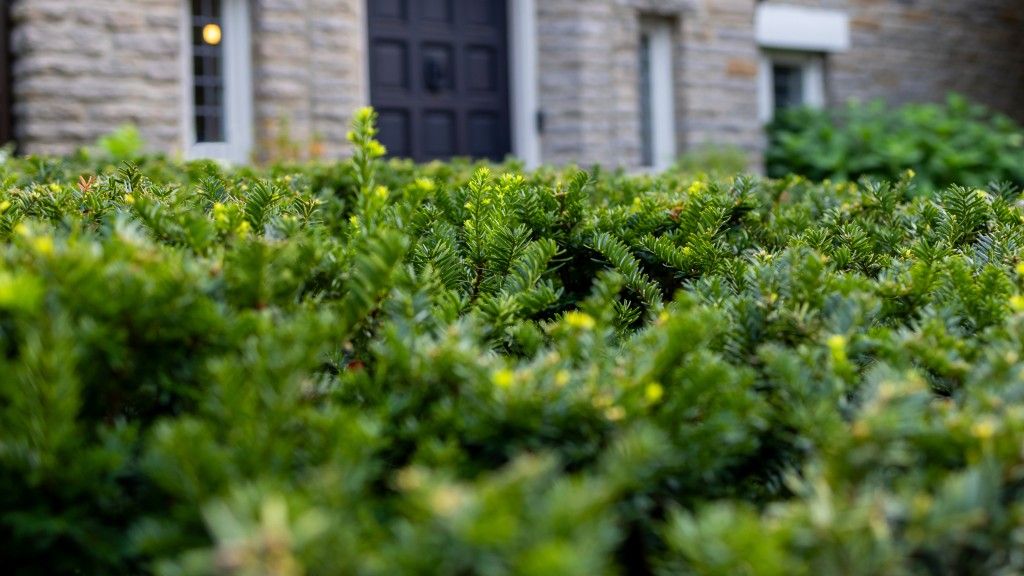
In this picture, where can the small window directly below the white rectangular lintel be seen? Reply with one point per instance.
(791, 80)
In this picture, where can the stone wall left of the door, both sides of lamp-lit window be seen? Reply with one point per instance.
(84, 67)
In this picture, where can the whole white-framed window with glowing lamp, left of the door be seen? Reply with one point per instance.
(219, 124)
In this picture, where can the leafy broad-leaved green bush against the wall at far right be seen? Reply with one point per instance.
(953, 144)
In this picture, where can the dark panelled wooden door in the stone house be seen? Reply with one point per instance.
(439, 77)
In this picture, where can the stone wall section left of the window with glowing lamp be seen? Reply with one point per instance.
(83, 68)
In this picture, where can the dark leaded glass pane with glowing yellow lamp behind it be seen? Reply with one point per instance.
(208, 57)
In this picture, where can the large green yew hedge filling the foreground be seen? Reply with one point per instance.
(374, 368)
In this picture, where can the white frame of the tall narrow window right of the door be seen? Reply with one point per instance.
(662, 102)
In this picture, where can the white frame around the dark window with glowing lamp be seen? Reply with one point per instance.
(238, 145)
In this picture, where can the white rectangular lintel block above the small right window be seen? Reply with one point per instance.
(801, 28)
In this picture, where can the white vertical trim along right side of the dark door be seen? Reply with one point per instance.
(524, 81)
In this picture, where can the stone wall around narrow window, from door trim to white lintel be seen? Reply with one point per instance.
(590, 84)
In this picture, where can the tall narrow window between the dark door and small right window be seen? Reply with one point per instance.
(658, 136)
